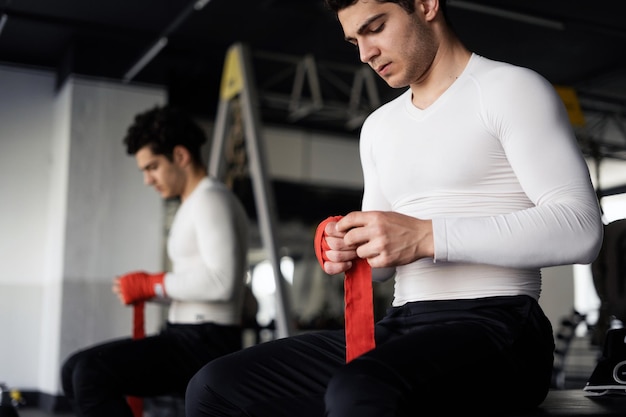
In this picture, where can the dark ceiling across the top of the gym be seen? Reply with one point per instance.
(579, 44)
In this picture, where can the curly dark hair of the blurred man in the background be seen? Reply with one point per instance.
(163, 128)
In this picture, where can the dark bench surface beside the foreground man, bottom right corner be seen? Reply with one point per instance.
(573, 402)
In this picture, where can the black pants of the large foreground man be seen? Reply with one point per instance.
(432, 357)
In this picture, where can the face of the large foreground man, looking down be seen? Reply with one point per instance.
(399, 46)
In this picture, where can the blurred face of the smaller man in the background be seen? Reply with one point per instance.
(164, 175)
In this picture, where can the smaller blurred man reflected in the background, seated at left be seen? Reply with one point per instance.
(207, 247)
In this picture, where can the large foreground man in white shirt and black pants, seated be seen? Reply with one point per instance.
(473, 182)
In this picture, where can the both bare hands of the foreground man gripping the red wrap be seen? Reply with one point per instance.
(385, 239)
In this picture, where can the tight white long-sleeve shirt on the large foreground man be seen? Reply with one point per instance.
(495, 164)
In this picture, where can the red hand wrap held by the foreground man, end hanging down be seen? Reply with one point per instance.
(358, 293)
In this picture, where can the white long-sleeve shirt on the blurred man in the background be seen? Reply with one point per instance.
(207, 245)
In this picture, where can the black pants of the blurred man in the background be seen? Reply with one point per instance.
(97, 380)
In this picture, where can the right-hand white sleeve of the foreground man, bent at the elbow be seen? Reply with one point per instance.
(564, 225)
